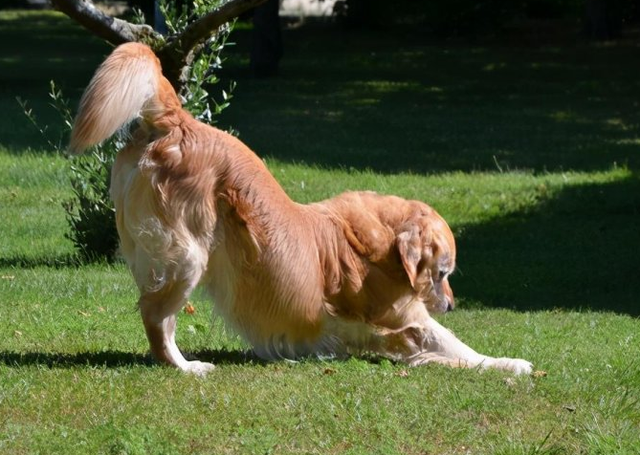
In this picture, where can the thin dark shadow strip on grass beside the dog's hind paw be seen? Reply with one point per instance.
(118, 359)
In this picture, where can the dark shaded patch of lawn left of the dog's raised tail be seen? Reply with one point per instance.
(37, 48)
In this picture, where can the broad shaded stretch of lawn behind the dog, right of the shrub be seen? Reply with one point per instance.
(393, 103)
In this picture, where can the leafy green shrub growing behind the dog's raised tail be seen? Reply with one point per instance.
(90, 211)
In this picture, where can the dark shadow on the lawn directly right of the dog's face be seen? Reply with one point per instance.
(579, 250)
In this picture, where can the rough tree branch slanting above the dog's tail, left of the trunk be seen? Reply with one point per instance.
(114, 30)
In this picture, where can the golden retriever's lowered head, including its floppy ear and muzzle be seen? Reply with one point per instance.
(428, 254)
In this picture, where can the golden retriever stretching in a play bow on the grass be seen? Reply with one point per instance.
(194, 205)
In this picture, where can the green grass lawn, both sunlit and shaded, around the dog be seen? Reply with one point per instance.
(531, 153)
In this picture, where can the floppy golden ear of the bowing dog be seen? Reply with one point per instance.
(415, 252)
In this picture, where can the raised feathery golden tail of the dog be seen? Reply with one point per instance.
(128, 84)
